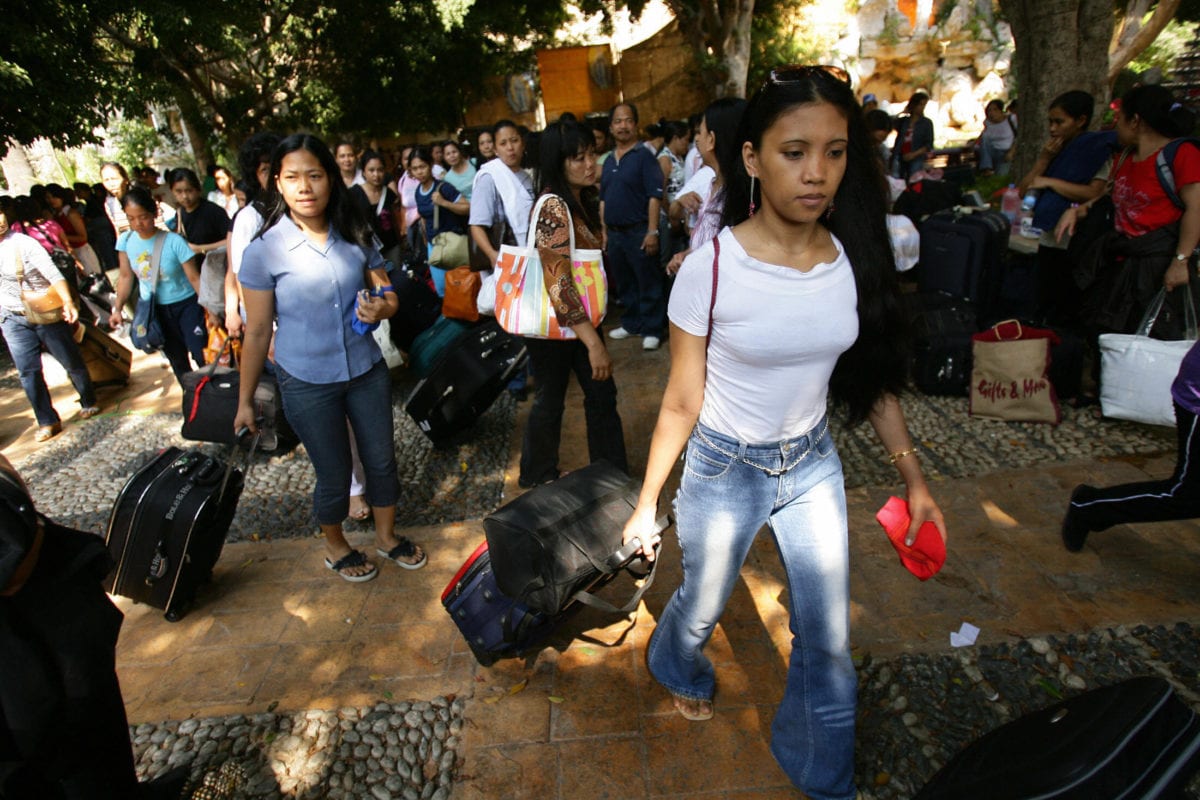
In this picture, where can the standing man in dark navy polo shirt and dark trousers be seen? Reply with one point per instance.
(631, 194)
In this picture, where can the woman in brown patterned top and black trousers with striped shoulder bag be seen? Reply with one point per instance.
(567, 172)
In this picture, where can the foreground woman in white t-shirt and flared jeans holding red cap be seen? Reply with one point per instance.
(795, 298)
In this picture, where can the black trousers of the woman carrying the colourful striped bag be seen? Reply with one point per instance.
(553, 364)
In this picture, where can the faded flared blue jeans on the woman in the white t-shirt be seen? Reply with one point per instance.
(728, 492)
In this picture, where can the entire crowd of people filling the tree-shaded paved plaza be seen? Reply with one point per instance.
(752, 239)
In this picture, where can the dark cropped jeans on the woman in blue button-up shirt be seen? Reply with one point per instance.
(319, 414)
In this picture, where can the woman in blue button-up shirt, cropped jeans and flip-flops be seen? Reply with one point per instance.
(307, 272)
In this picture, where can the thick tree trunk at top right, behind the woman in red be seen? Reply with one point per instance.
(1067, 40)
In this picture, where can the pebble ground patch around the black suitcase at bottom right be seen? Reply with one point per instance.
(917, 711)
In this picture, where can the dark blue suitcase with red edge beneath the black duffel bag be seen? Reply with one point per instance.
(495, 627)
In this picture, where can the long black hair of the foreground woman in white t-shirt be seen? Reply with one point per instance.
(878, 362)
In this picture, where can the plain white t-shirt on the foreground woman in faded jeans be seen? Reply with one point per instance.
(777, 335)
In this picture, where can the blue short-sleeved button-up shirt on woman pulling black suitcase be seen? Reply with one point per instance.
(315, 291)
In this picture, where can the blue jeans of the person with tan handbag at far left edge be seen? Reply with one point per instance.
(26, 345)
